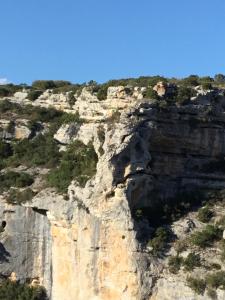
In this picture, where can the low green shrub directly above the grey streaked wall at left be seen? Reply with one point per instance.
(18, 197)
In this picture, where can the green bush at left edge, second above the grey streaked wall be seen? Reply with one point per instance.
(14, 179)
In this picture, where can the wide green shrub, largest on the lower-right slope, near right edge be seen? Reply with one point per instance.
(207, 236)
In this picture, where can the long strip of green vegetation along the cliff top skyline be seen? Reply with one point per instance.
(62, 86)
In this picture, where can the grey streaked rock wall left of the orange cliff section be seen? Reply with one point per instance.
(25, 246)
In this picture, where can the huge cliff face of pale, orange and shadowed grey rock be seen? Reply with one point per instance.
(91, 247)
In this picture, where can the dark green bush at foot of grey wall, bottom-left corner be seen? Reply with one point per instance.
(17, 291)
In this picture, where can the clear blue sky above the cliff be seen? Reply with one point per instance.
(80, 40)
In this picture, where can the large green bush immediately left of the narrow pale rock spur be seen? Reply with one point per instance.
(78, 162)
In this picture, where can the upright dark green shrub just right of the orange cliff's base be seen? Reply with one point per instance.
(159, 242)
